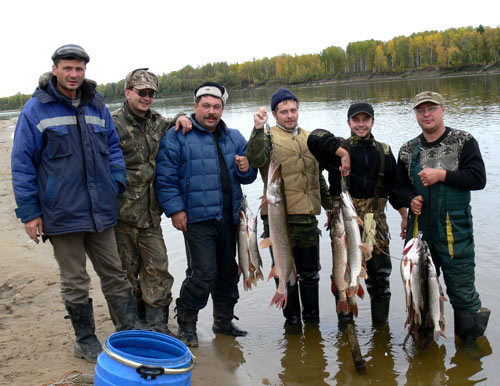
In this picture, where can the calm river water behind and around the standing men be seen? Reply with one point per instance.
(320, 355)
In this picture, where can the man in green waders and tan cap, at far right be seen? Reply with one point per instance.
(436, 172)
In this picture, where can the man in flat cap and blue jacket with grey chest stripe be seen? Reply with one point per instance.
(67, 169)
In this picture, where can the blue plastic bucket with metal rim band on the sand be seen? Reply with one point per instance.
(135, 357)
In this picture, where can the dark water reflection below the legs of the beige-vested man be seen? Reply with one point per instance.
(303, 360)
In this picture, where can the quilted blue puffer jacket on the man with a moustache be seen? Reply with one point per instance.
(188, 172)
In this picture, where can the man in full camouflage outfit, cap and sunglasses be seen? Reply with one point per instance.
(138, 233)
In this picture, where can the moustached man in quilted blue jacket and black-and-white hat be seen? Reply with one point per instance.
(198, 177)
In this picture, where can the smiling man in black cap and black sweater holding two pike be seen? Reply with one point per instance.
(371, 185)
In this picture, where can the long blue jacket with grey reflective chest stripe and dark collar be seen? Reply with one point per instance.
(67, 165)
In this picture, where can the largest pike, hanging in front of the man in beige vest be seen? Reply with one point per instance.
(279, 236)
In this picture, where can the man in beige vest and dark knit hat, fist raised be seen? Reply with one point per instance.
(306, 191)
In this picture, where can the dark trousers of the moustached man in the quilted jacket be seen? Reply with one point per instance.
(212, 268)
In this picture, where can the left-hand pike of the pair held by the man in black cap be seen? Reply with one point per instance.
(340, 274)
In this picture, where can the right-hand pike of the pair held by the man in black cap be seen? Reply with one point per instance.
(355, 248)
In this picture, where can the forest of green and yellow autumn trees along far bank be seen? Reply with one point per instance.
(454, 49)
